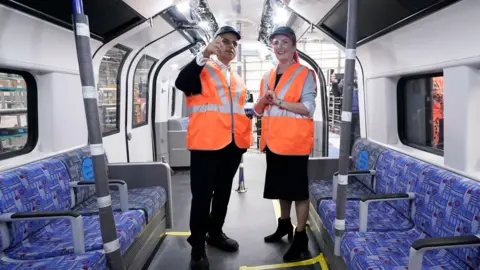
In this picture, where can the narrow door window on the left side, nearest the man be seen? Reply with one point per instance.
(140, 90)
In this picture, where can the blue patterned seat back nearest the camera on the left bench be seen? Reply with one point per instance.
(35, 187)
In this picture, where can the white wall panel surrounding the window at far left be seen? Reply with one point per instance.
(48, 52)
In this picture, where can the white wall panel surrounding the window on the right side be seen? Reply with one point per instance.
(430, 44)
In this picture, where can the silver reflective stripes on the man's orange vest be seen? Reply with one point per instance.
(226, 106)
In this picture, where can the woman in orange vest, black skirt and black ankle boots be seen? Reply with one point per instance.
(287, 103)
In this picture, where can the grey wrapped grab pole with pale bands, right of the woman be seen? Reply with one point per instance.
(350, 53)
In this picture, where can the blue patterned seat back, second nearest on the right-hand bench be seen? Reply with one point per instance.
(398, 173)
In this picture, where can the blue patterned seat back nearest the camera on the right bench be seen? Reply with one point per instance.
(449, 205)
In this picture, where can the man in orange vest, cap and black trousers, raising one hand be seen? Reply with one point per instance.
(218, 134)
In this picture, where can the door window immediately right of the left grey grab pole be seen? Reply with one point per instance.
(109, 89)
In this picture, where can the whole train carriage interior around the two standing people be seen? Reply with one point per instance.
(78, 195)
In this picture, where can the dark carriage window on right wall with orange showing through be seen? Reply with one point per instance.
(420, 112)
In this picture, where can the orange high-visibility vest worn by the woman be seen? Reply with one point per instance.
(285, 132)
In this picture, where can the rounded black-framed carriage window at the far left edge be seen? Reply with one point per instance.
(18, 113)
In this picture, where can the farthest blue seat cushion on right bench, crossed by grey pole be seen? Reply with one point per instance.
(322, 190)
